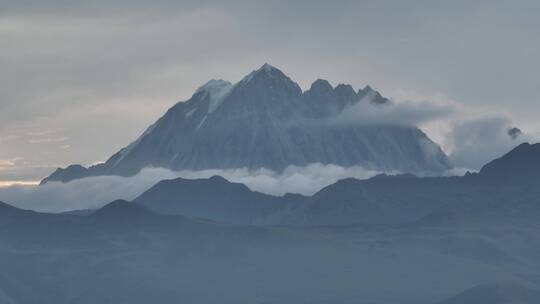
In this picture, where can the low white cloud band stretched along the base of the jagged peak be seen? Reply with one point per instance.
(94, 192)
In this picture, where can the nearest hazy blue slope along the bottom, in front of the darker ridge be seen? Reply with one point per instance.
(125, 253)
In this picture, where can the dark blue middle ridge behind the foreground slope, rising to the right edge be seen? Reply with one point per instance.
(503, 188)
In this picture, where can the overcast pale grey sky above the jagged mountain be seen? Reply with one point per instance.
(81, 79)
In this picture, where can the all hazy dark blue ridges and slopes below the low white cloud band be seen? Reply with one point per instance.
(390, 239)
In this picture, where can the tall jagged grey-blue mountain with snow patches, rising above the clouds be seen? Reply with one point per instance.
(266, 121)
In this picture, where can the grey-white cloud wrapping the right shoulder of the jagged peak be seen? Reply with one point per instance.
(470, 136)
